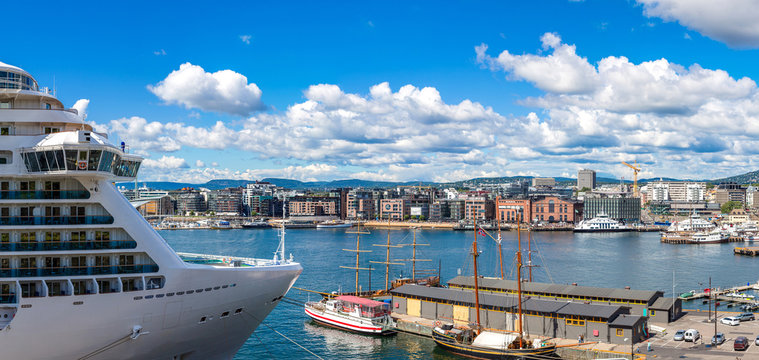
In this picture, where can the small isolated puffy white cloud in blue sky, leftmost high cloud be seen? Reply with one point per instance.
(223, 91)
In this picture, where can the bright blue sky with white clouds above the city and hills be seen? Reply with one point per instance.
(407, 90)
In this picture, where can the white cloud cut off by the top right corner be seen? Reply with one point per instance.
(733, 22)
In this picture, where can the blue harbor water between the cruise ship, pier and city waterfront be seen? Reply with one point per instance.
(616, 260)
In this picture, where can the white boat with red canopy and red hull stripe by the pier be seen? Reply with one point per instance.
(354, 314)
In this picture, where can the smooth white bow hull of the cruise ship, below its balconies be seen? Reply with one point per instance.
(171, 325)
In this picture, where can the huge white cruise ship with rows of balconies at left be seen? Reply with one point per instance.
(82, 274)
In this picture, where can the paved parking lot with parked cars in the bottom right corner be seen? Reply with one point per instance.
(665, 347)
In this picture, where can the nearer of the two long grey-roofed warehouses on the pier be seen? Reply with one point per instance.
(556, 319)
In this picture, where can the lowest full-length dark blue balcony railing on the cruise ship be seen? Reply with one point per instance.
(78, 270)
